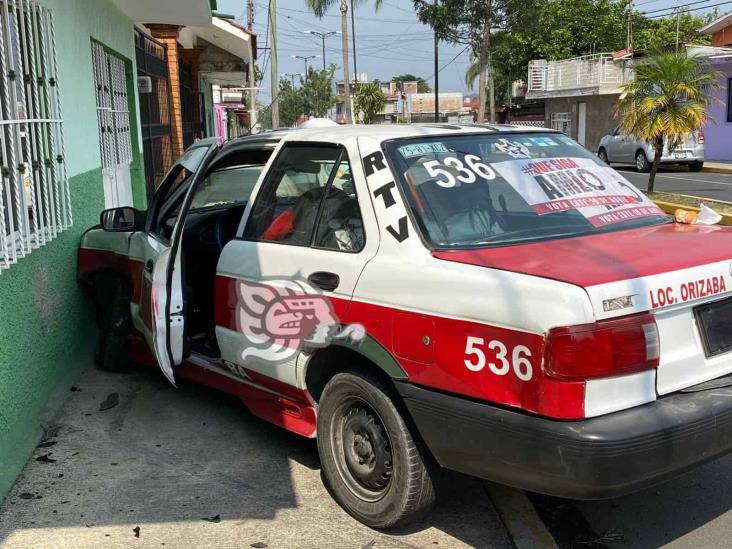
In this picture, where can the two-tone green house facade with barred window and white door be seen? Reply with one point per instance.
(70, 144)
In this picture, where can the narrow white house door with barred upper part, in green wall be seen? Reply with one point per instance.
(113, 118)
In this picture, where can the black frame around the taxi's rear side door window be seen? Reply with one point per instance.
(343, 153)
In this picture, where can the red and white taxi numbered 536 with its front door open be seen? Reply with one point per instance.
(489, 299)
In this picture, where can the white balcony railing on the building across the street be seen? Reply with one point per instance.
(579, 72)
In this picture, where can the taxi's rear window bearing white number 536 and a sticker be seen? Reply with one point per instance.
(505, 188)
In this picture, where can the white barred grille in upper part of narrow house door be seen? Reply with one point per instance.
(113, 113)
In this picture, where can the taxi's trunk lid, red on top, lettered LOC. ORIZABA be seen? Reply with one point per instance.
(669, 269)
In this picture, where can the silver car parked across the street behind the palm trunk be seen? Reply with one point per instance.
(616, 147)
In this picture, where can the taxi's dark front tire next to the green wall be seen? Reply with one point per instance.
(114, 326)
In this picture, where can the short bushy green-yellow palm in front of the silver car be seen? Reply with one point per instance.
(667, 100)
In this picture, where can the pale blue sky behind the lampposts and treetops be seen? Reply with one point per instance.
(389, 41)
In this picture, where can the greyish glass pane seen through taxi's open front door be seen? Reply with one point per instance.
(228, 186)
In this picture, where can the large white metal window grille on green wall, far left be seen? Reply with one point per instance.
(35, 204)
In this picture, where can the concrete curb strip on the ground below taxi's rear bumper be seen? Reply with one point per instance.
(524, 527)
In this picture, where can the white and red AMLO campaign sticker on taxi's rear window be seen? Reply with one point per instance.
(553, 185)
